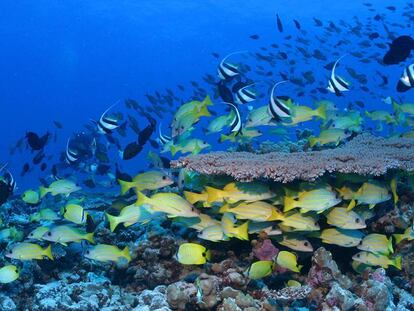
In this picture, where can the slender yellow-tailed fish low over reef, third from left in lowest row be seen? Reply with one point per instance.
(108, 253)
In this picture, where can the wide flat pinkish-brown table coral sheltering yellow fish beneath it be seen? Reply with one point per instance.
(364, 155)
